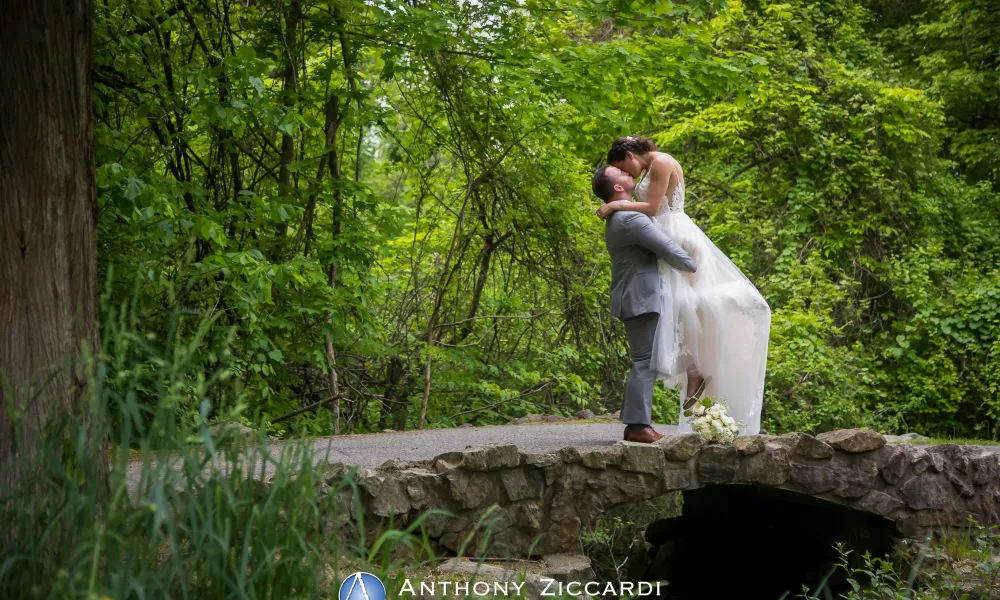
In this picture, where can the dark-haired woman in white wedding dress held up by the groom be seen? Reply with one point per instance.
(712, 340)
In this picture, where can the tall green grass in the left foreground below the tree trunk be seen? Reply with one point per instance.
(182, 514)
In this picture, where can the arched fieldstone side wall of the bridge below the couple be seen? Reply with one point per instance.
(537, 503)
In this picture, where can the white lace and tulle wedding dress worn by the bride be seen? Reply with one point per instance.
(715, 321)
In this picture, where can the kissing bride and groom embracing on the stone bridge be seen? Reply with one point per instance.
(692, 318)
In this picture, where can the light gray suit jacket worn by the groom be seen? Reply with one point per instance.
(636, 244)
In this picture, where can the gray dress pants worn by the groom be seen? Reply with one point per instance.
(637, 406)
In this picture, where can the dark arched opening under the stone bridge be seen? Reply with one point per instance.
(753, 543)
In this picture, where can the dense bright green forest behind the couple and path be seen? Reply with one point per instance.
(383, 207)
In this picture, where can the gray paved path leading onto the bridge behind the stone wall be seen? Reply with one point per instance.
(373, 449)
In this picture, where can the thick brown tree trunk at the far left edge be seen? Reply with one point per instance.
(48, 267)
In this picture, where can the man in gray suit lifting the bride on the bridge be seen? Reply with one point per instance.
(635, 245)
